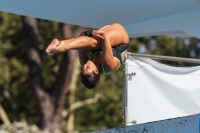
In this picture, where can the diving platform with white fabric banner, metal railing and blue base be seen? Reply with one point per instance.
(158, 98)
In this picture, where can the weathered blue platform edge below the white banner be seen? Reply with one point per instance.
(187, 124)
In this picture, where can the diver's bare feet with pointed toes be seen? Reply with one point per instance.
(51, 49)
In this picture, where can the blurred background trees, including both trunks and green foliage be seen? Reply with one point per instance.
(45, 90)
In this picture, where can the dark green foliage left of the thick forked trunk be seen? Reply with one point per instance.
(13, 70)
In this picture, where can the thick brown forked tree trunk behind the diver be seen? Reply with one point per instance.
(49, 101)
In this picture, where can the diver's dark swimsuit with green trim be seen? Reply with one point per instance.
(117, 52)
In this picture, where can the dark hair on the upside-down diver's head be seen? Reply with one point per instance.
(90, 81)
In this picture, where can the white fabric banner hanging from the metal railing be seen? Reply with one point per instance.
(158, 92)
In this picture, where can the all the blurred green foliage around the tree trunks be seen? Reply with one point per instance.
(17, 98)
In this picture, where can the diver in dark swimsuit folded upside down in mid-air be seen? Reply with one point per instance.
(107, 46)
